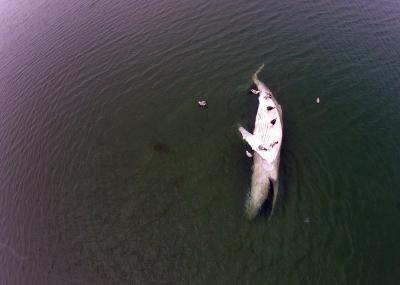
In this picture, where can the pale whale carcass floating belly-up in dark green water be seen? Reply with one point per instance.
(266, 142)
